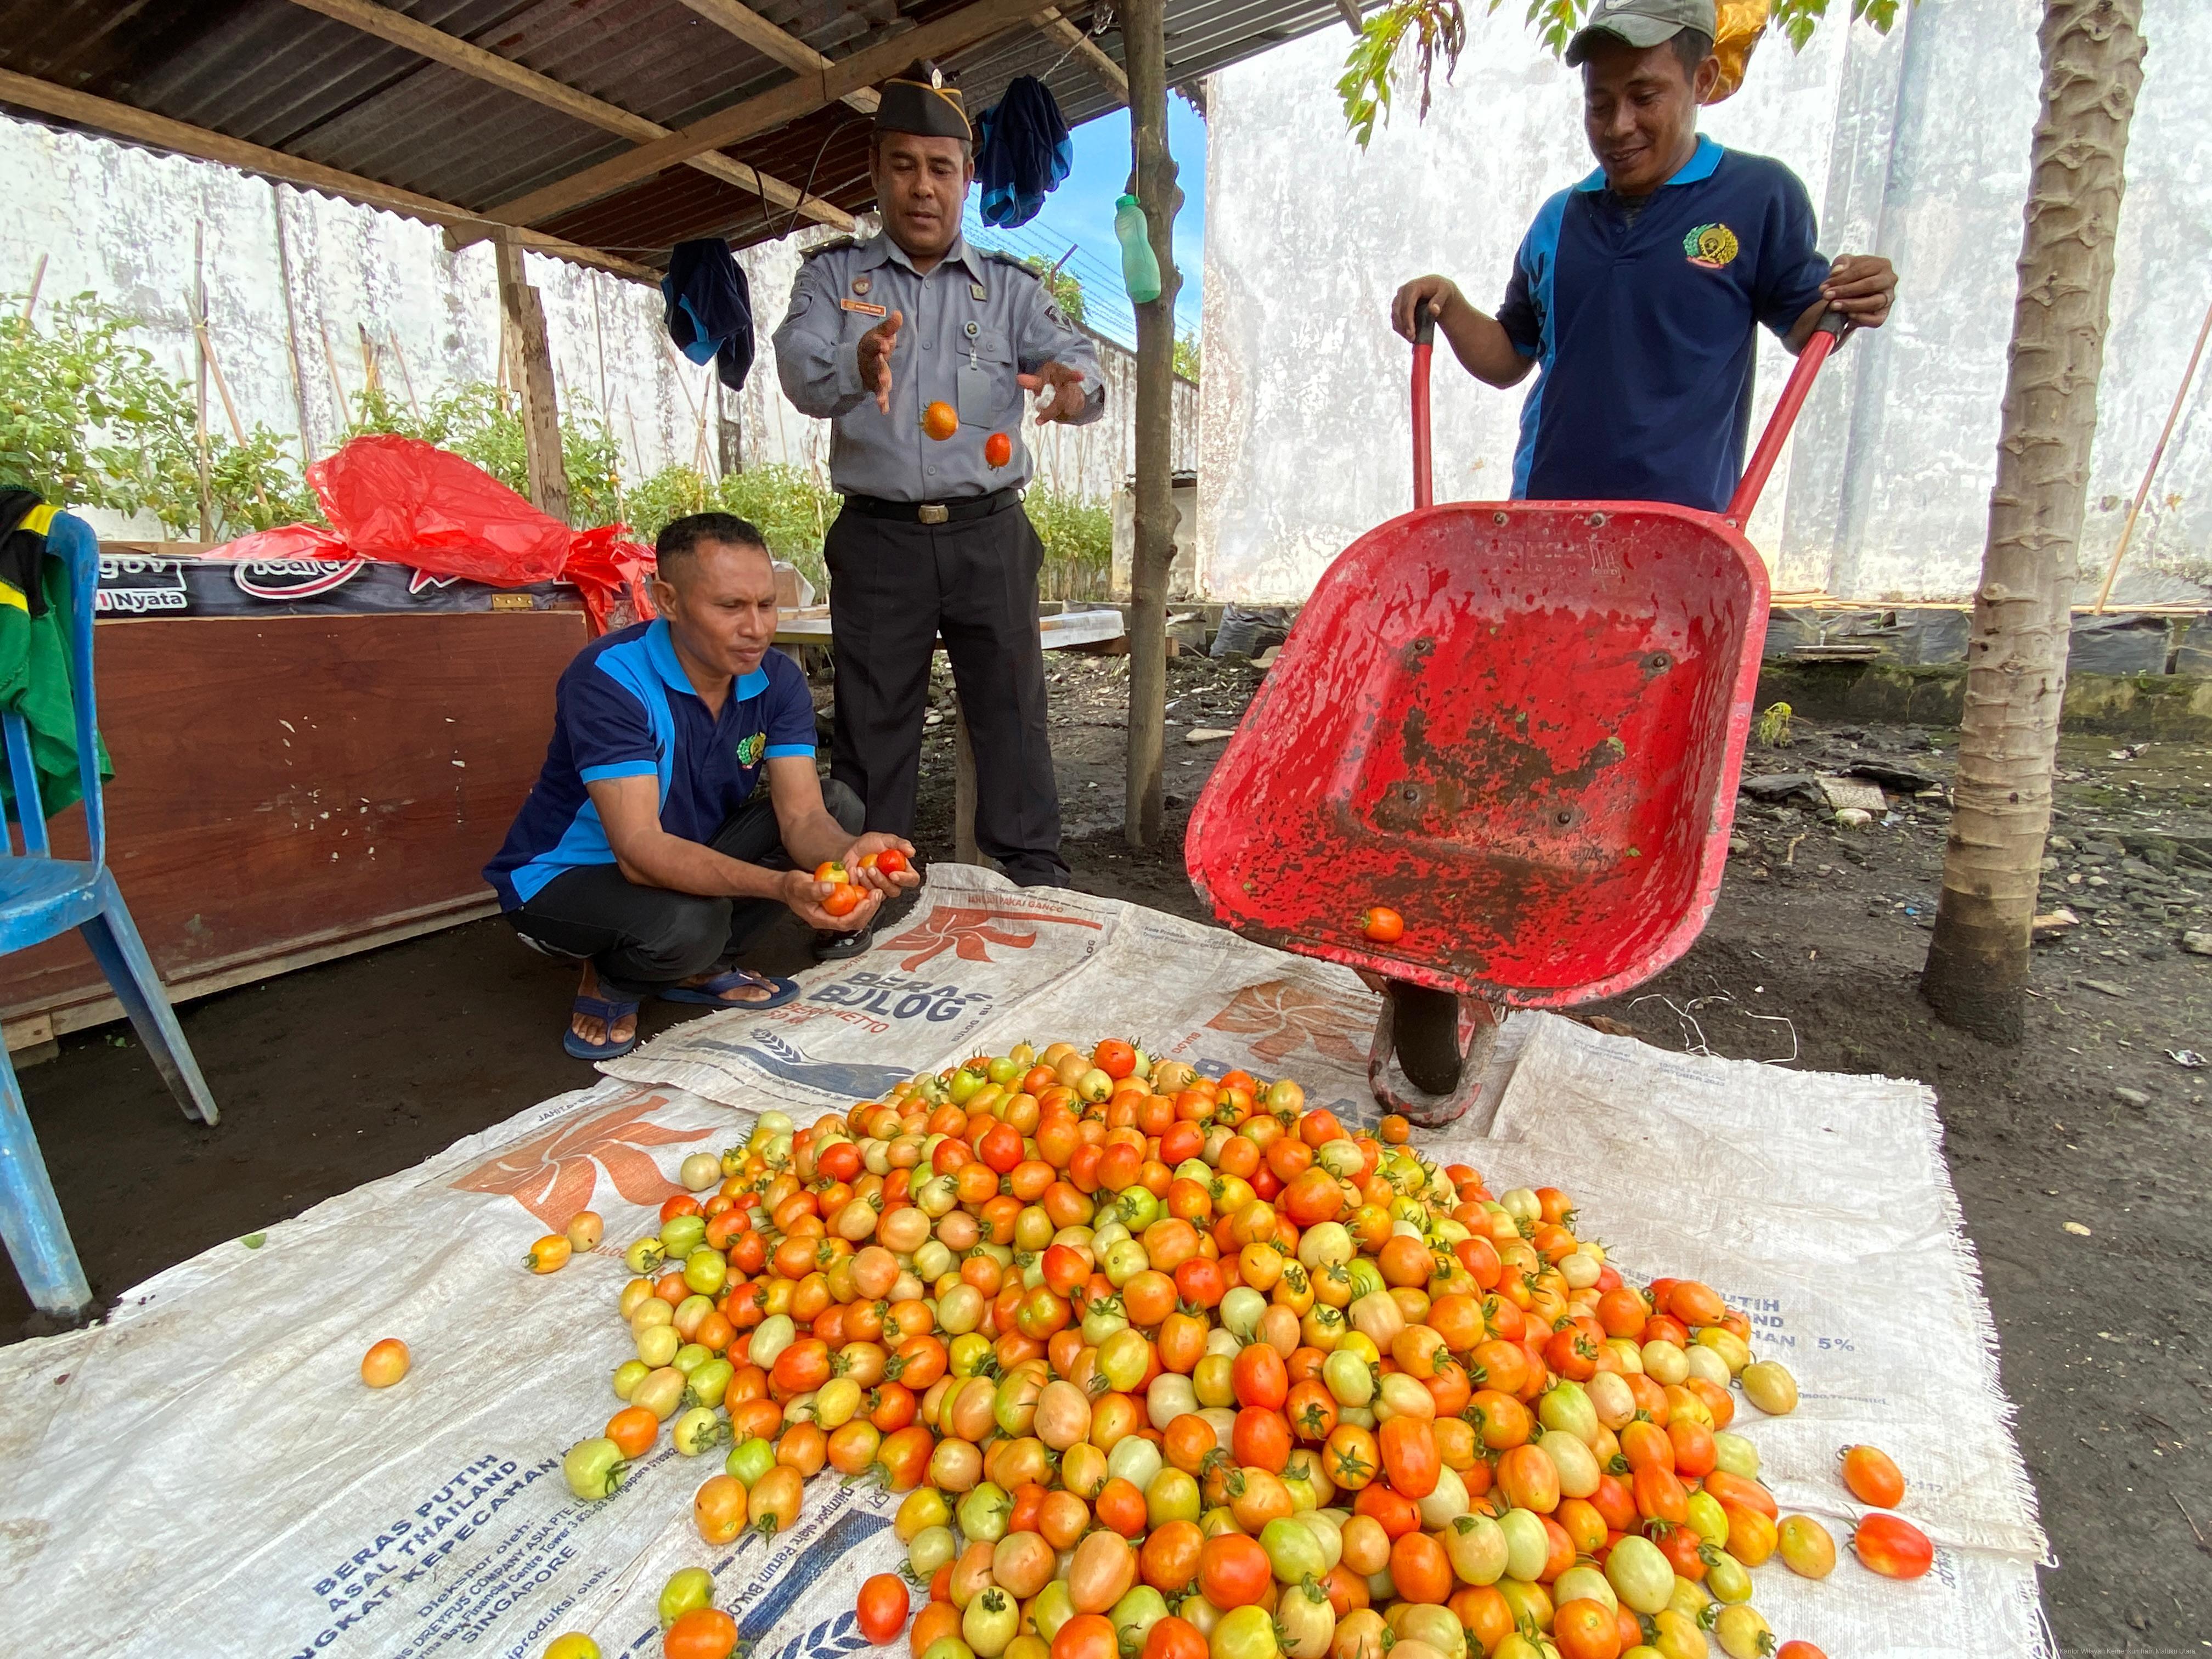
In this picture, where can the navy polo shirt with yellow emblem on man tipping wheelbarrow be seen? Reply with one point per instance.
(1645, 328)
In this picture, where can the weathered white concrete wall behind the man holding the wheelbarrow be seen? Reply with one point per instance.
(1912, 145)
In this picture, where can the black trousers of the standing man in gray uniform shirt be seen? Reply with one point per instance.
(895, 589)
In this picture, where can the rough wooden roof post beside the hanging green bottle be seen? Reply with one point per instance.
(1145, 45)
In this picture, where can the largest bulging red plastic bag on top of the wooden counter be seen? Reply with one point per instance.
(413, 503)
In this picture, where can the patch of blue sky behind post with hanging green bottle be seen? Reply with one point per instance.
(1081, 211)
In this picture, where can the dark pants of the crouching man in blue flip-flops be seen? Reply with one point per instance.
(647, 937)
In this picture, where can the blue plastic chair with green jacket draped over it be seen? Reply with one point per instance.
(43, 897)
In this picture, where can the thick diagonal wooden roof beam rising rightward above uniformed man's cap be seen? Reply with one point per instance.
(769, 112)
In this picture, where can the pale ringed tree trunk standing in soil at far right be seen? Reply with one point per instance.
(2016, 660)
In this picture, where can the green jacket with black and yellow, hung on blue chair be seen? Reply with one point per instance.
(36, 654)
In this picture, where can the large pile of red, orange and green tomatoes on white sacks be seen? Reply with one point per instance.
(1173, 1368)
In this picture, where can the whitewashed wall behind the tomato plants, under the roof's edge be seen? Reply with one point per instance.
(118, 222)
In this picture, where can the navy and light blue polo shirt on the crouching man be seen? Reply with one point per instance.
(625, 709)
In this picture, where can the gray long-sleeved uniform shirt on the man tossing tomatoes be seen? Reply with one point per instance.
(968, 328)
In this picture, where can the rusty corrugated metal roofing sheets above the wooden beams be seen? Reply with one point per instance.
(286, 79)
